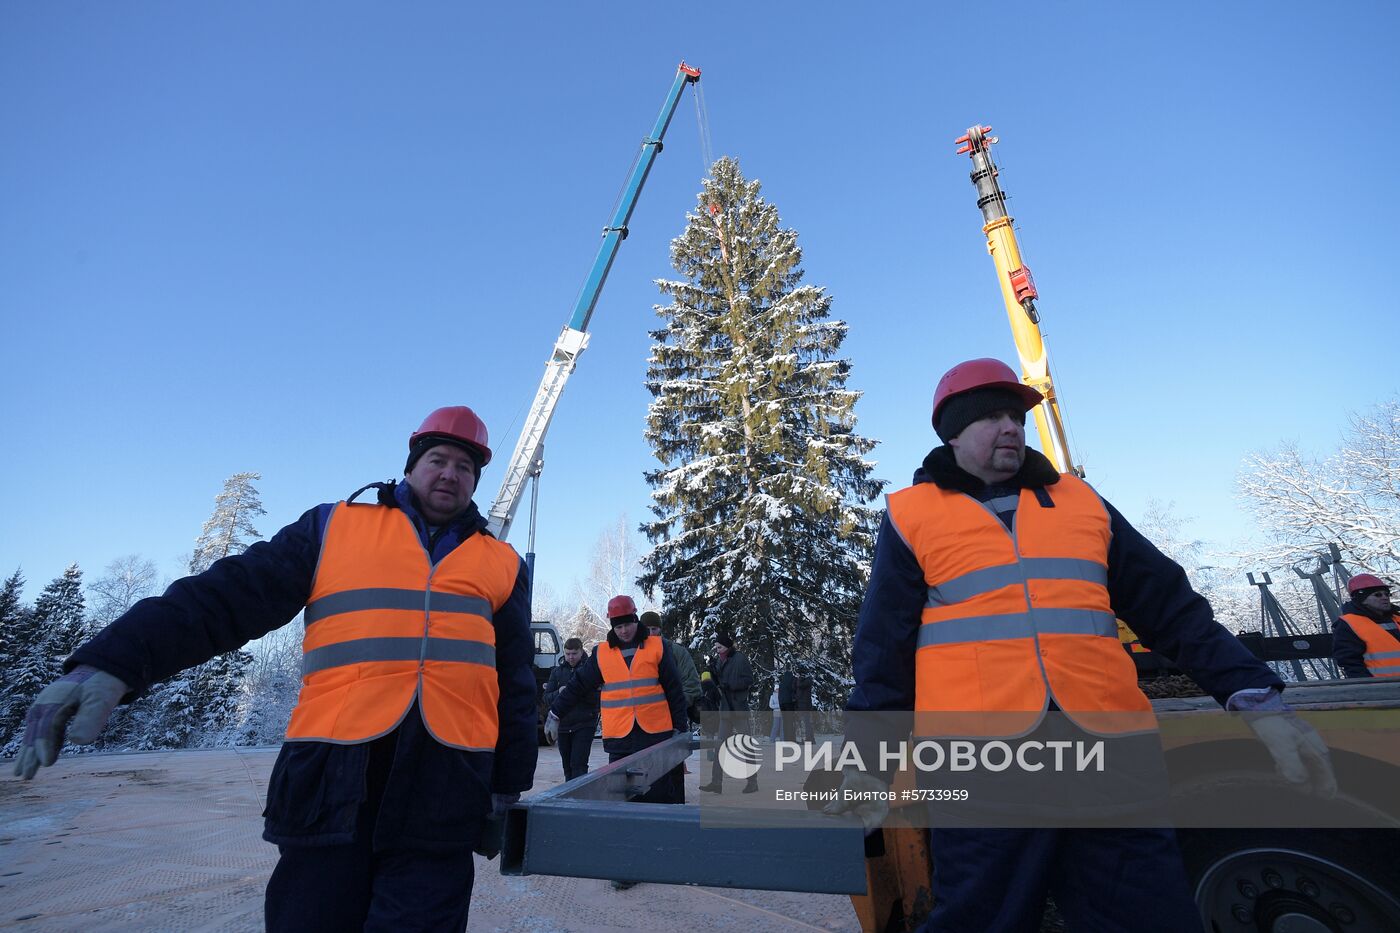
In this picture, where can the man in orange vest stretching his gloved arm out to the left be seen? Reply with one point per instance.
(394, 761)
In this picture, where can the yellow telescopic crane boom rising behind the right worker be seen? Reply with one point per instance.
(1018, 292)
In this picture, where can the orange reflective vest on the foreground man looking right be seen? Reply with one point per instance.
(1016, 618)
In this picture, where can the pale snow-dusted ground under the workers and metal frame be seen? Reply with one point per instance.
(170, 841)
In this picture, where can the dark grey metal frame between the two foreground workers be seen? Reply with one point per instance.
(593, 829)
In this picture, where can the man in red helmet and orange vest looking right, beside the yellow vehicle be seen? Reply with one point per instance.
(979, 502)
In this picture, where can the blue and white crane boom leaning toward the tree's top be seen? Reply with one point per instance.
(527, 460)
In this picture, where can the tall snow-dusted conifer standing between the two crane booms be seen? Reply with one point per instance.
(762, 526)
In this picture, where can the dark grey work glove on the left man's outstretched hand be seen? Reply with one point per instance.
(86, 697)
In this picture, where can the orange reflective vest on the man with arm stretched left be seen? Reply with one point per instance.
(386, 628)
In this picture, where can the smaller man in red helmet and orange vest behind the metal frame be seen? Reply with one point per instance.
(642, 700)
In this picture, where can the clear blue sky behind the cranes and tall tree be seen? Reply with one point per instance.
(272, 237)
